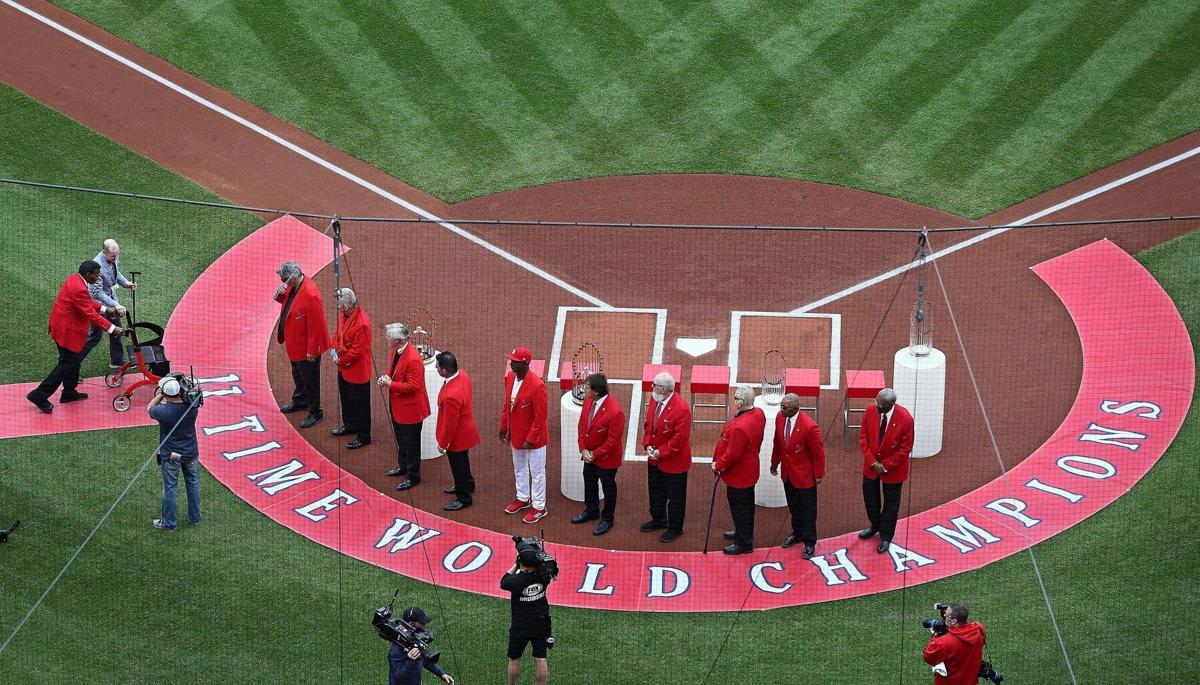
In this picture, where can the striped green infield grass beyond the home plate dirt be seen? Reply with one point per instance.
(967, 106)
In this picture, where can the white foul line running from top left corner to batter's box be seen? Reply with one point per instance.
(310, 157)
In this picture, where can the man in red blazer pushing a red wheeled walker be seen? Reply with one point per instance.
(73, 315)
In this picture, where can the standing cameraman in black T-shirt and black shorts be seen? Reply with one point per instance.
(531, 612)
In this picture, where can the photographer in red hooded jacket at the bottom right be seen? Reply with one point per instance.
(956, 648)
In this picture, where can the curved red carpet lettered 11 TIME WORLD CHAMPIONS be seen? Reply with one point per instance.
(1130, 407)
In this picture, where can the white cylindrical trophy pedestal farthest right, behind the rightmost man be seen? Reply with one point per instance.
(921, 389)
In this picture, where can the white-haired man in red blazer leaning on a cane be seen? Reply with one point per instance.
(736, 460)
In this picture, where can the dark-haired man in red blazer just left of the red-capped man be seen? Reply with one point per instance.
(457, 431)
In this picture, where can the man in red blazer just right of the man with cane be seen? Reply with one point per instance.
(800, 448)
